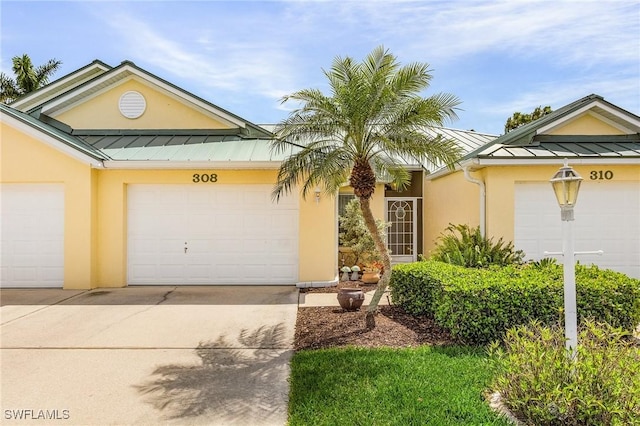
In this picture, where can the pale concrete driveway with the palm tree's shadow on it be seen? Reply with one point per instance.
(146, 355)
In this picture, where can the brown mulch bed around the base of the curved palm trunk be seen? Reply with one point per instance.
(324, 327)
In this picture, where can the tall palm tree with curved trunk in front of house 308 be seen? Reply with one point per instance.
(373, 121)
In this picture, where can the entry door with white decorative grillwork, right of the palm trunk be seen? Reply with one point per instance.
(402, 213)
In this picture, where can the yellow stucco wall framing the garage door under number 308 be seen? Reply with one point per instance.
(317, 237)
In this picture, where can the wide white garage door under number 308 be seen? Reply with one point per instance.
(211, 234)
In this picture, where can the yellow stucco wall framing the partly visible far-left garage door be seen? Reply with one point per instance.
(27, 160)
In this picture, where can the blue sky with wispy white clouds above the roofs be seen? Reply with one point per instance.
(498, 57)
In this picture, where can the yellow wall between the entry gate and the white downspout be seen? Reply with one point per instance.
(450, 199)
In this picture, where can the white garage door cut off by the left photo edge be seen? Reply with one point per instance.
(32, 253)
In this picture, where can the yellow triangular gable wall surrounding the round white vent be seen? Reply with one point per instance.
(162, 112)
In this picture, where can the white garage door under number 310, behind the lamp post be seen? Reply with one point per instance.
(607, 217)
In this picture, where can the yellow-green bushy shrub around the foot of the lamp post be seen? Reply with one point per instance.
(542, 386)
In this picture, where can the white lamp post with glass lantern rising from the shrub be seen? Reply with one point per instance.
(566, 184)
